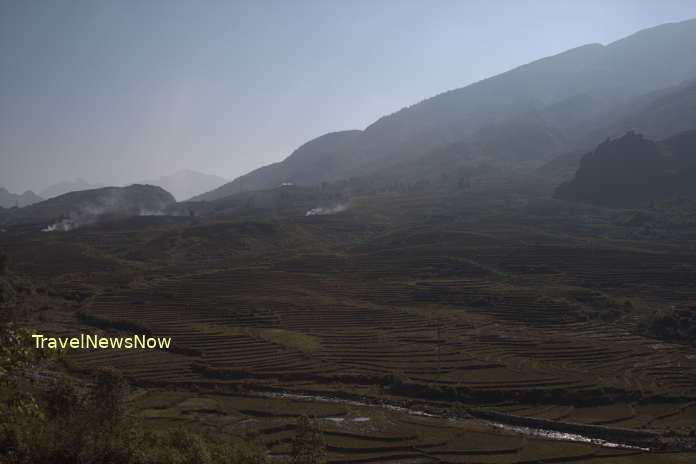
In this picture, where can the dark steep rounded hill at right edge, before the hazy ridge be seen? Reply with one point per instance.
(632, 171)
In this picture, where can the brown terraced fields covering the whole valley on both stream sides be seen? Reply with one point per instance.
(510, 314)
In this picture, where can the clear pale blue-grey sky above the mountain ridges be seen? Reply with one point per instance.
(120, 91)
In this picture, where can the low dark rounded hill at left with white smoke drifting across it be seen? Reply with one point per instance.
(75, 208)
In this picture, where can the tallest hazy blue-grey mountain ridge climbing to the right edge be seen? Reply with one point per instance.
(525, 116)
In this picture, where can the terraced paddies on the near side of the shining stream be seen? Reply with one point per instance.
(362, 434)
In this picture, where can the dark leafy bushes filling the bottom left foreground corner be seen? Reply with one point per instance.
(91, 425)
